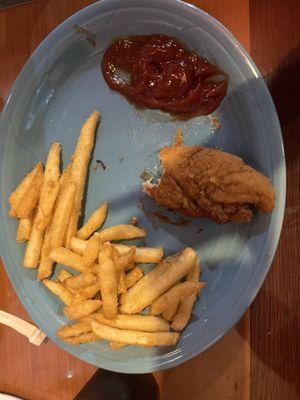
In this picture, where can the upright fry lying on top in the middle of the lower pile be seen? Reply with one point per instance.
(108, 282)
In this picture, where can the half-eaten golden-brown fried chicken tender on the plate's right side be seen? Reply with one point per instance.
(204, 182)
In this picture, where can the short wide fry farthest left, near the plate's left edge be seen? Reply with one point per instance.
(29, 188)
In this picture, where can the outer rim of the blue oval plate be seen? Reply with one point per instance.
(132, 366)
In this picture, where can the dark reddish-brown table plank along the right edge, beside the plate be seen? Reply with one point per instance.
(275, 314)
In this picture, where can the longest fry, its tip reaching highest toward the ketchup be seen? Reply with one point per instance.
(80, 162)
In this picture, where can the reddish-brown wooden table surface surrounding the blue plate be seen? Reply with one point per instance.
(259, 359)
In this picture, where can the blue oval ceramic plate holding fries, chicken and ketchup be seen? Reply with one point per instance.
(61, 84)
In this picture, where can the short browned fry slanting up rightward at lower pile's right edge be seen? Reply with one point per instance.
(175, 294)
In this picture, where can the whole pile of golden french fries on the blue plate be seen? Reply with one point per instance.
(107, 290)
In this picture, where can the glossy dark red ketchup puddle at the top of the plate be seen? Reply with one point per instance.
(157, 72)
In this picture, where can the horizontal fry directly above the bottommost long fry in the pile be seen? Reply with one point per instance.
(144, 323)
